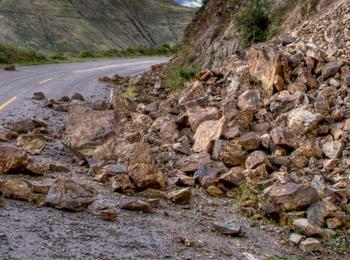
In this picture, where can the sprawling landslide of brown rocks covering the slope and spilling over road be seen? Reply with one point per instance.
(266, 130)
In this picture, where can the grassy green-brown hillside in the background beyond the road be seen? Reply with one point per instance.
(73, 25)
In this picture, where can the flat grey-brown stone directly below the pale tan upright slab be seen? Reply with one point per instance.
(191, 163)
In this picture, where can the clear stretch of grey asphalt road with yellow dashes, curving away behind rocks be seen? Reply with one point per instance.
(57, 80)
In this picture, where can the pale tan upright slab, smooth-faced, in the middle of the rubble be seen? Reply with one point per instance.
(206, 133)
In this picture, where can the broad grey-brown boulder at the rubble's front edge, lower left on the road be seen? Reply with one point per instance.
(67, 194)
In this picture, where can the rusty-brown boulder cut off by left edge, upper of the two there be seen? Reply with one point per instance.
(12, 159)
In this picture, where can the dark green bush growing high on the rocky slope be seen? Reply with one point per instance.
(253, 22)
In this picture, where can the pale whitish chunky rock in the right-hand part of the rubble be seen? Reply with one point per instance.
(303, 121)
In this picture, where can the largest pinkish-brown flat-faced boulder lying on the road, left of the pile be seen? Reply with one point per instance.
(90, 134)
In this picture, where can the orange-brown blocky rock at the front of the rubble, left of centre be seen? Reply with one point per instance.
(146, 176)
